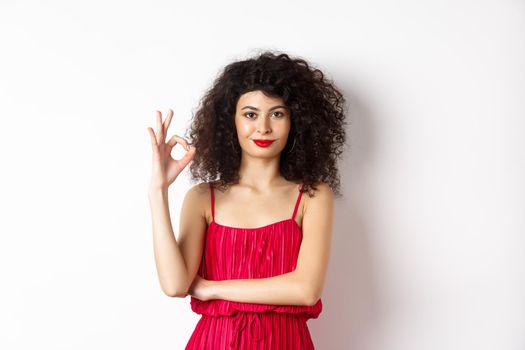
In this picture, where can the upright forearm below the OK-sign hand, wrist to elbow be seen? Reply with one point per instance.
(171, 268)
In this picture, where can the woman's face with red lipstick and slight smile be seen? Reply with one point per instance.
(259, 117)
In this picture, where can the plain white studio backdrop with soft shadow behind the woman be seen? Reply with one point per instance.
(428, 244)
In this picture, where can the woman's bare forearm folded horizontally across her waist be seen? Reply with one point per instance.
(285, 289)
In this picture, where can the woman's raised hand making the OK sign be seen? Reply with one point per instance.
(165, 168)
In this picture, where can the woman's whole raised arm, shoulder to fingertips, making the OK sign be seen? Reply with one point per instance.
(176, 262)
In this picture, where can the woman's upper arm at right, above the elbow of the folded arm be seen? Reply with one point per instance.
(314, 253)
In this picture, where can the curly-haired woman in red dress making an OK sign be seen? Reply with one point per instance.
(252, 251)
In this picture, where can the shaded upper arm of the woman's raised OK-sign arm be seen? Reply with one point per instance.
(192, 229)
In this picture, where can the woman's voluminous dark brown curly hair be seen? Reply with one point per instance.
(317, 110)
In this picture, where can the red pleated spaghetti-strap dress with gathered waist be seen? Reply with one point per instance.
(242, 253)
